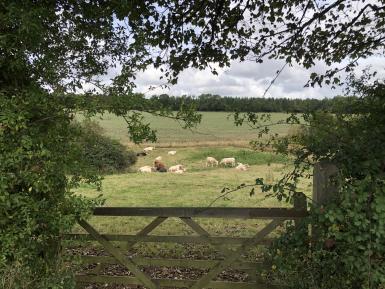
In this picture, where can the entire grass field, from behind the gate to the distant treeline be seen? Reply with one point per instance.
(198, 187)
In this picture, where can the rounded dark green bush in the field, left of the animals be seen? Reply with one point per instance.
(102, 153)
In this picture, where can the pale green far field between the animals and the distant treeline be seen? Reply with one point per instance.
(216, 128)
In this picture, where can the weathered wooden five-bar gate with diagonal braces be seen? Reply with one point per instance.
(231, 258)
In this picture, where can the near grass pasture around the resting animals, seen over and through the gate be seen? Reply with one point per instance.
(198, 187)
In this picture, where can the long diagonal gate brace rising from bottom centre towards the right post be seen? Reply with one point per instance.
(220, 266)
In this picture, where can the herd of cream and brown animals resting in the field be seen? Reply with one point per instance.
(160, 167)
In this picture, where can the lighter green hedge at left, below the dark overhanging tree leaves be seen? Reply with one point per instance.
(37, 150)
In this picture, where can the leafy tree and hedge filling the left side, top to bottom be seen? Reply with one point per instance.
(48, 51)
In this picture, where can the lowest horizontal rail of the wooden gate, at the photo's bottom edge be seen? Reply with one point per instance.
(124, 280)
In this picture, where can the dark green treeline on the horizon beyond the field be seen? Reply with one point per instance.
(209, 102)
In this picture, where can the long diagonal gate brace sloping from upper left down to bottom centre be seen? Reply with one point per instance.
(129, 264)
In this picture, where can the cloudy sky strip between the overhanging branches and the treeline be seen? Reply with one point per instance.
(249, 79)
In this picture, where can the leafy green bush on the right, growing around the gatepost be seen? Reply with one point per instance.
(345, 247)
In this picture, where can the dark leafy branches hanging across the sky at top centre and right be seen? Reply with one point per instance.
(197, 34)
